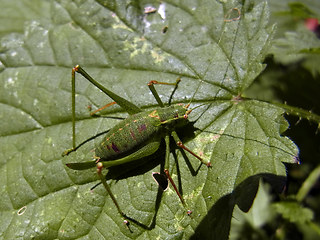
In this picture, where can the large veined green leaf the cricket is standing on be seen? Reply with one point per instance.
(124, 48)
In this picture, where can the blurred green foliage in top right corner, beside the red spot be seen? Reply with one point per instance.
(294, 42)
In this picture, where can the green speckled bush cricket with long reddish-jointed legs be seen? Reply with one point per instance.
(145, 129)
